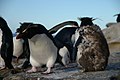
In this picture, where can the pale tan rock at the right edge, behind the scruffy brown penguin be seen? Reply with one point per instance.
(112, 34)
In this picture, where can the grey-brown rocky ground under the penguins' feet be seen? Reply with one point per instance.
(112, 72)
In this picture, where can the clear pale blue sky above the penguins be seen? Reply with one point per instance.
(52, 12)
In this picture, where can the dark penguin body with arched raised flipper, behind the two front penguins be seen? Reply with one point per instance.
(66, 36)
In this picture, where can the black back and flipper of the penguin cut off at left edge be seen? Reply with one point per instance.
(7, 45)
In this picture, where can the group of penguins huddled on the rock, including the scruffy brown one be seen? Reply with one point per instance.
(84, 44)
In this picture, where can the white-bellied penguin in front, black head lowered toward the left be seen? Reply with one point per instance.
(43, 50)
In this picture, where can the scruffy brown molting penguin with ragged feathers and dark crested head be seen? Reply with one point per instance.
(92, 47)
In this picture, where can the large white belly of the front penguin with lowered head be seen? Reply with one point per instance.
(42, 50)
